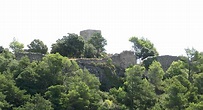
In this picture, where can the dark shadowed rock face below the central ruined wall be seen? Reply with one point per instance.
(107, 74)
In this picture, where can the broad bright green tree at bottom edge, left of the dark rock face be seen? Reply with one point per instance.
(79, 91)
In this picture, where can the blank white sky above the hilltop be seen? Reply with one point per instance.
(171, 25)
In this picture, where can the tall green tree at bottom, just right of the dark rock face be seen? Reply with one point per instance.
(140, 92)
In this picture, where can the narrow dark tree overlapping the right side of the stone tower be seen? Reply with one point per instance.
(98, 42)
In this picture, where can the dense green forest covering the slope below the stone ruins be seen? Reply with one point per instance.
(58, 83)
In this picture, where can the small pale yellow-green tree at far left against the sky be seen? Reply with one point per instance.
(16, 46)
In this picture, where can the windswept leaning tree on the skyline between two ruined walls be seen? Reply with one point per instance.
(143, 48)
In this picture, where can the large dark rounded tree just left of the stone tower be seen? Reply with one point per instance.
(70, 46)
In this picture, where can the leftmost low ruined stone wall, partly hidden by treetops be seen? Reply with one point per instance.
(31, 56)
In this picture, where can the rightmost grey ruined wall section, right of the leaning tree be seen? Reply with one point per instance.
(166, 61)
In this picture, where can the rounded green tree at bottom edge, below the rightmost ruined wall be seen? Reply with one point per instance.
(177, 93)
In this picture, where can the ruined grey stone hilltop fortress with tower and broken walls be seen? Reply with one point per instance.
(122, 60)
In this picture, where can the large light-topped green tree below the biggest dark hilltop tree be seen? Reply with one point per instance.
(52, 71)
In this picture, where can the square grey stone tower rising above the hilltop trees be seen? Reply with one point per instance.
(87, 34)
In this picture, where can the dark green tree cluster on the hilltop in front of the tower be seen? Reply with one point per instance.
(74, 46)
